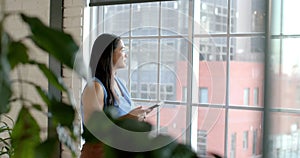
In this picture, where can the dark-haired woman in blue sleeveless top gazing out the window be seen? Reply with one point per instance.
(105, 89)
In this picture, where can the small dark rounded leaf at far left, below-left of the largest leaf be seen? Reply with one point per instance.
(17, 54)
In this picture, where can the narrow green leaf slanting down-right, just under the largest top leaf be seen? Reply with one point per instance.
(52, 78)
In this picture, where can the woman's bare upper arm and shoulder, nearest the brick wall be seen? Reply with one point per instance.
(92, 99)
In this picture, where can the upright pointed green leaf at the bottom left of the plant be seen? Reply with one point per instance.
(25, 135)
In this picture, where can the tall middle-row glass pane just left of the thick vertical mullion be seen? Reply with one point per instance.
(173, 68)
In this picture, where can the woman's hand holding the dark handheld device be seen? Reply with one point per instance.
(137, 113)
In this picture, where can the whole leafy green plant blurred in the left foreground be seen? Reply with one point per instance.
(23, 139)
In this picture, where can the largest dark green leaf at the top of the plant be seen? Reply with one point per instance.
(57, 43)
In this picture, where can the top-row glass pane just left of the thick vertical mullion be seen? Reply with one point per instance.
(174, 18)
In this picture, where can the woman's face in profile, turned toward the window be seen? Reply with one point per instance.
(119, 56)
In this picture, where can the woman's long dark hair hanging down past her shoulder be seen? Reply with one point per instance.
(101, 63)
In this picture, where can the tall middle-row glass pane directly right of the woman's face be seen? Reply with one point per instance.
(144, 68)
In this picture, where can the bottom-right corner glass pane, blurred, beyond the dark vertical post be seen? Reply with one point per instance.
(285, 135)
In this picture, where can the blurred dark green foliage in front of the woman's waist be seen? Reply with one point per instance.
(142, 144)
